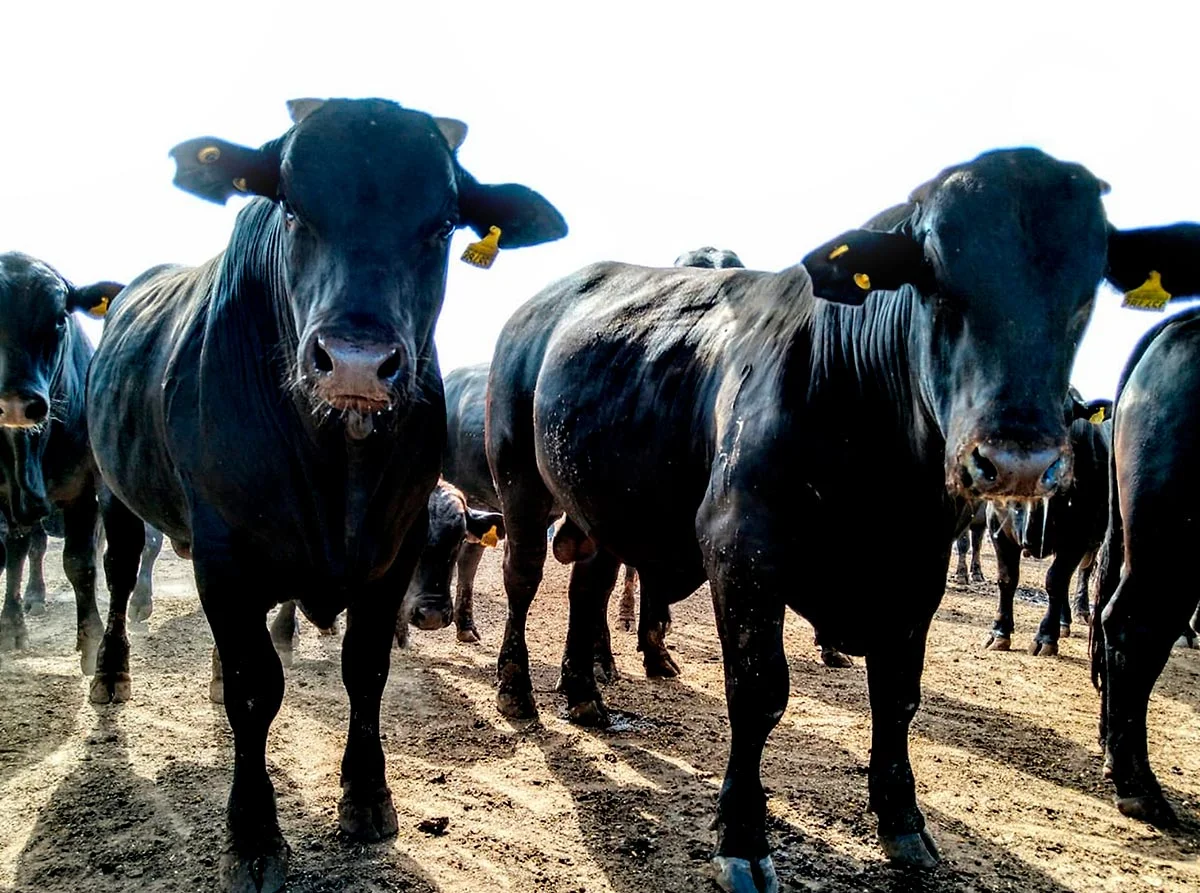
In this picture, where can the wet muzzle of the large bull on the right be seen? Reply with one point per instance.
(999, 470)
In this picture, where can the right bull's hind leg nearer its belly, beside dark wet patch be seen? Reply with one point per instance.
(592, 583)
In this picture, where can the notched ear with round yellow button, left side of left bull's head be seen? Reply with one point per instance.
(215, 170)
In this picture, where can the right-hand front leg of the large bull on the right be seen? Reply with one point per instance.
(893, 685)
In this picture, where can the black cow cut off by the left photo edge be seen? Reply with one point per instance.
(45, 460)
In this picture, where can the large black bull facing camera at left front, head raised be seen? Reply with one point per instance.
(279, 413)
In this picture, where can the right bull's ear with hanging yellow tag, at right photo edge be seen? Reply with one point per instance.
(1155, 266)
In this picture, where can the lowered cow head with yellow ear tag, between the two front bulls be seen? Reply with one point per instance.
(428, 603)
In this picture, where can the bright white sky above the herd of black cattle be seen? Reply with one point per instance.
(656, 128)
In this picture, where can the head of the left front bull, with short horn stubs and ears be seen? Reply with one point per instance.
(367, 199)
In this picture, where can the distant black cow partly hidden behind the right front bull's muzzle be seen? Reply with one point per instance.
(1070, 526)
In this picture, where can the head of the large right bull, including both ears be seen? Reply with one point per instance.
(1005, 255)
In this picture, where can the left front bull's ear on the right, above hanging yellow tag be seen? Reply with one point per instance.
(523, 215)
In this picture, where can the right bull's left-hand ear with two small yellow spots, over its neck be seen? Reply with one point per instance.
(862, 261)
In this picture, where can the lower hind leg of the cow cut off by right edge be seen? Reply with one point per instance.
(1139, 625)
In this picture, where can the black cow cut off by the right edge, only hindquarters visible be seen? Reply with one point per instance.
(1145, 594)
